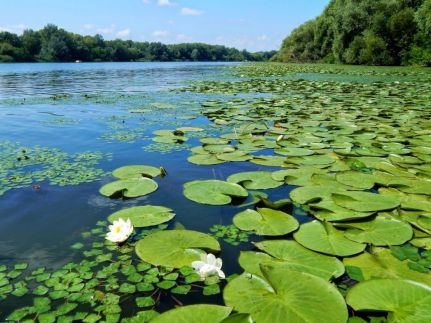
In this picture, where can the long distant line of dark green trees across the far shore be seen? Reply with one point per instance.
(53, 44)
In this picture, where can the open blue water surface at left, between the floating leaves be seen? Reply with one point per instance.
(87, 107)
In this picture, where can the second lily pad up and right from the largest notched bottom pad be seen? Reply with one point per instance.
(324, 238)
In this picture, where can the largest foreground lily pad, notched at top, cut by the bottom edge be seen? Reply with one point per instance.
(282, 294)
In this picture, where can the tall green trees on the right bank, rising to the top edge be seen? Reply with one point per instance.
(372, 32)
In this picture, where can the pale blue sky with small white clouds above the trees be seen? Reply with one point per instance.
(251, 24)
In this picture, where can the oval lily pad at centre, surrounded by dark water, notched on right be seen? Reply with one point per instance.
(213, 192)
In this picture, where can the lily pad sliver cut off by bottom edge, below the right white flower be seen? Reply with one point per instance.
(199, 313)
